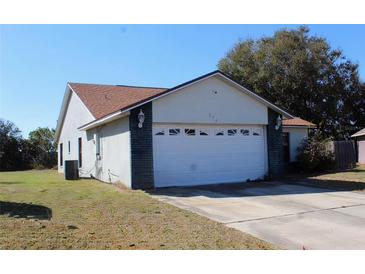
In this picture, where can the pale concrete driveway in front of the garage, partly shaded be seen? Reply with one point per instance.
(288, 215)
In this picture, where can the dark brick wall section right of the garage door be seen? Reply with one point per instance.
(274, 146)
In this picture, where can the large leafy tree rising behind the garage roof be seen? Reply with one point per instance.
(302, 74)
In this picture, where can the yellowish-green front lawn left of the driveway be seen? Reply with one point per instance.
(40, 210)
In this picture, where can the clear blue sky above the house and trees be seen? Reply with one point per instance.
(37, 61)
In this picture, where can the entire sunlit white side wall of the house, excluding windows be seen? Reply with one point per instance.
(114, 164)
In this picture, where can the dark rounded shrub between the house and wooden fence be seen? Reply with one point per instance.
(315, 155)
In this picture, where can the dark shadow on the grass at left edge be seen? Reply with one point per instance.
(24, 210)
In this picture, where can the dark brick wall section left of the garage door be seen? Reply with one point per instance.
(141, 148)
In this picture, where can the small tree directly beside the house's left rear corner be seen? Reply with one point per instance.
(45, 149)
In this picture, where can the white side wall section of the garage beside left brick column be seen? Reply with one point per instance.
(114, 164)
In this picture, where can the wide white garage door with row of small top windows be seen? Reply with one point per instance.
(192, 155)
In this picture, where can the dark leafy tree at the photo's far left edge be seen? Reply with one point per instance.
(15, 152)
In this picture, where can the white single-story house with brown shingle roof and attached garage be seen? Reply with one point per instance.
(205, 131)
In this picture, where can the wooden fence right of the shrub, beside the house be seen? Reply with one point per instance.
(345, 153)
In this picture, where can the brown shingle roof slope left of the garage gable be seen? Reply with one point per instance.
(102, 100)
